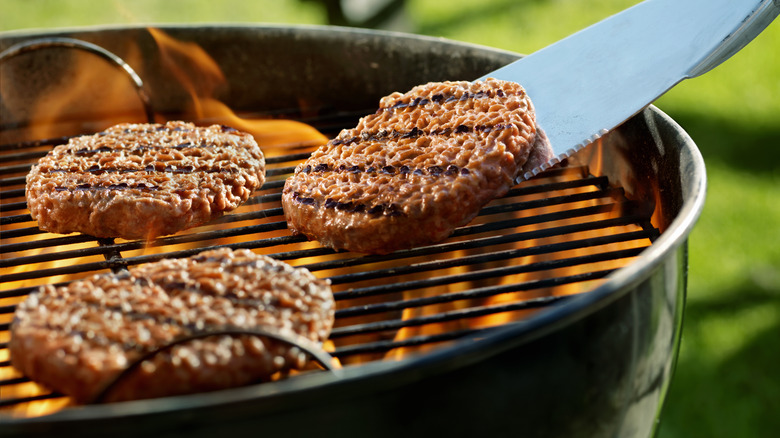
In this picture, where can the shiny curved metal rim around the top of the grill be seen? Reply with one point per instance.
(618, 284)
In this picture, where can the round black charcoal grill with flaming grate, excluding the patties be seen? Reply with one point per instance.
(556, 312)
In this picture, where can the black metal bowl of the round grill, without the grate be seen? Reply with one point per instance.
(598, 365)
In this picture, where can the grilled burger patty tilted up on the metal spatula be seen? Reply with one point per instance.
(422, 165)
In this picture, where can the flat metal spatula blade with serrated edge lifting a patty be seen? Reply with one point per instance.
(589, 83)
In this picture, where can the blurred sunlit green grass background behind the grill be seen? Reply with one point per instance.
(727, 382)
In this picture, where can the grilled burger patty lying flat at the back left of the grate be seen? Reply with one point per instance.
(140, 181)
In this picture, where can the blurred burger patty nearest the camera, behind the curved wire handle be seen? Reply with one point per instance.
(78, 338)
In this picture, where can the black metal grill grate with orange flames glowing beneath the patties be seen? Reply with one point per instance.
(548, 239)
